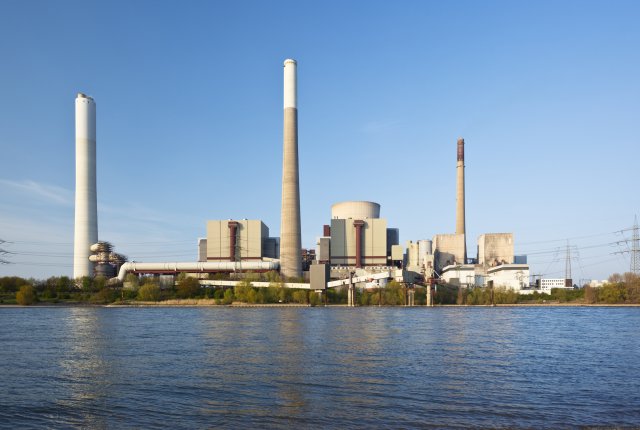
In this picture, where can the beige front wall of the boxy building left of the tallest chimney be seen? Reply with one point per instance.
(251, 234)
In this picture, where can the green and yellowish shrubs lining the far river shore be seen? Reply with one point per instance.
(147, 291)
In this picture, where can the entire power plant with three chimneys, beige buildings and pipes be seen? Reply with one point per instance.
(356, 248)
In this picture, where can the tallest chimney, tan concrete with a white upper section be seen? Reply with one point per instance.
(290, 232)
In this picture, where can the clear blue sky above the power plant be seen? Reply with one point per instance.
(189, 112)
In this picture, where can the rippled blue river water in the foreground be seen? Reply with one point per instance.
(74, 367)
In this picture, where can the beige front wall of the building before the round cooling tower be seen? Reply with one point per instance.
(374, 242)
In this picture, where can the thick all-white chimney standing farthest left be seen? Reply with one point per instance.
(86, 216)
